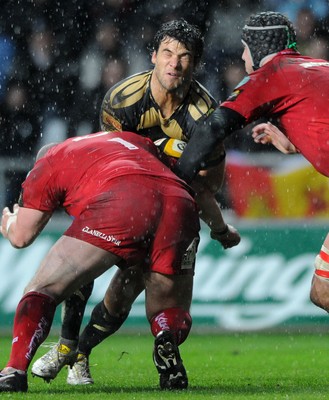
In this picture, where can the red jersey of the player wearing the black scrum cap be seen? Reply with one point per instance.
(294, 90)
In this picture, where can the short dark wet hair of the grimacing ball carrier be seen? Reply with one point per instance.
(182, 31)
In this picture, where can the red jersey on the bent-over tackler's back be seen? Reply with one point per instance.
(79, 171)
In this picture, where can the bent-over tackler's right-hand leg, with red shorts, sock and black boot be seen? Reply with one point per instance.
(168, 287)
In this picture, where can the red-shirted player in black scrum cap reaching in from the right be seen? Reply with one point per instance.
(288, 89)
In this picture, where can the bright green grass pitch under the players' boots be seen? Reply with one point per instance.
(235, 366)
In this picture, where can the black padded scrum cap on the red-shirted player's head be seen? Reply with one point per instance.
(268, 33)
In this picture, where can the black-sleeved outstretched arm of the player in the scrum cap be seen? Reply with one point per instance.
(220, 124)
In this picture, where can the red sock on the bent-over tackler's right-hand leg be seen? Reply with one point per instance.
(176, 320)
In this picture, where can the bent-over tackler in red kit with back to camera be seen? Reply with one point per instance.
(99, 179)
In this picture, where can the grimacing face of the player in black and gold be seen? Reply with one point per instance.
(173, 65)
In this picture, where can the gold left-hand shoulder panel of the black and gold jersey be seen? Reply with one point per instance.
(129, 90)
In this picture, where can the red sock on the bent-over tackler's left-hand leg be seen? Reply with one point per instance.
(33, 318)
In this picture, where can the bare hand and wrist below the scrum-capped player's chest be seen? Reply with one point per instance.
(268, 133)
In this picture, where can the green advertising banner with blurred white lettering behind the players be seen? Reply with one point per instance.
(263, 283)
